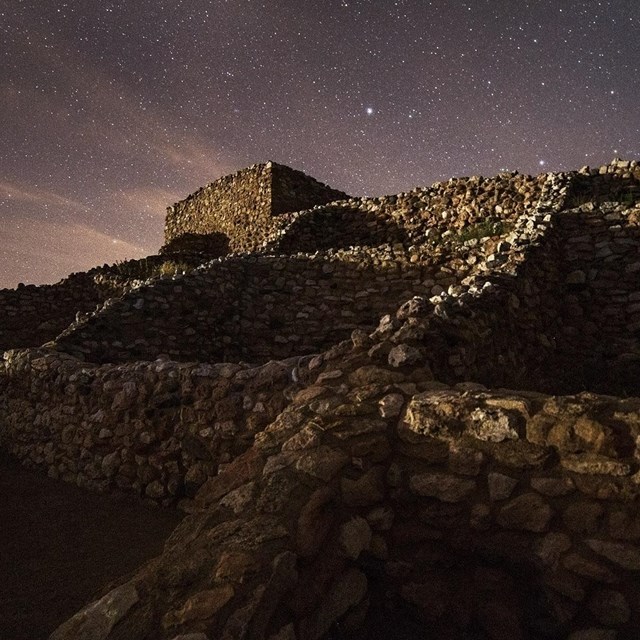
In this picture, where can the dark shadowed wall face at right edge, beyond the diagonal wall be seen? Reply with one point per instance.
(598, 344)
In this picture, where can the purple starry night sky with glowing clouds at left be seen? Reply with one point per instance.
(111, 110)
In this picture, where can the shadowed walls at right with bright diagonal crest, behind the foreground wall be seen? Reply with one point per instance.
(553, 309)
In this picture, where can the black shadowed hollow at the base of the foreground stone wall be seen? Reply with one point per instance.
(456, 596)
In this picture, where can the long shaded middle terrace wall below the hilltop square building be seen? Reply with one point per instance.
(251, 309)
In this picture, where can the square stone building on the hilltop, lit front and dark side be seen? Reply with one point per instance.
(245, 206)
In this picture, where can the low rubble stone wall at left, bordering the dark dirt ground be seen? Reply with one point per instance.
(158, 429)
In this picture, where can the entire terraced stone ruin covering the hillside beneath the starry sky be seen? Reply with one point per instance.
(412, 416)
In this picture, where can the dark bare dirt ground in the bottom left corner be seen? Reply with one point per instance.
(59, 545)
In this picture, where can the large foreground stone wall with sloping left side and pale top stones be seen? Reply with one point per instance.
(385, 503)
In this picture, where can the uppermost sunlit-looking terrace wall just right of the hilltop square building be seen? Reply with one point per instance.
(459, 210)
